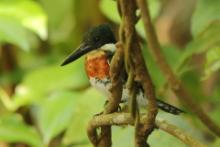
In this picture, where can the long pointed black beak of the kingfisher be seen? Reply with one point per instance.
(80, 51)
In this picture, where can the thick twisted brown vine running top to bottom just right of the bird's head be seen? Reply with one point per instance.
(128, 11)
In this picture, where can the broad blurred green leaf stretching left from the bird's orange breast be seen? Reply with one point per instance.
(40, 83)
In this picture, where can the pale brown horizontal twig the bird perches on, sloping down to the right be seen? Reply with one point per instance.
(127, 119)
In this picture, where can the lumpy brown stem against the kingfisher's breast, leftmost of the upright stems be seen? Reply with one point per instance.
(116, 90)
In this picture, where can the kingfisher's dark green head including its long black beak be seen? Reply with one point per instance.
(94, 39)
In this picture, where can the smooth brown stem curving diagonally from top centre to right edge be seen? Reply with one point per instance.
(176, 85)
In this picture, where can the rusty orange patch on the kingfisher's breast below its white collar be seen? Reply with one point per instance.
(97, 66)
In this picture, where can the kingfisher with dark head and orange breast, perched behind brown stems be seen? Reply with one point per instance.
(98, 45)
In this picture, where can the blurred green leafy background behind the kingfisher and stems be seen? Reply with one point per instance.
(51, 105)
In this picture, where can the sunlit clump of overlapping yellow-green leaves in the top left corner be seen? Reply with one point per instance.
(17, 18)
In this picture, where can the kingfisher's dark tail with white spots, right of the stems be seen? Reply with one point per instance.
(168, 108)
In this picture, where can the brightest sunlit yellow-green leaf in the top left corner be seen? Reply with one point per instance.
(27, 13)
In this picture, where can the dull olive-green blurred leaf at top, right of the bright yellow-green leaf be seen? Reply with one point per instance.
(60, 23)
